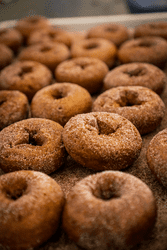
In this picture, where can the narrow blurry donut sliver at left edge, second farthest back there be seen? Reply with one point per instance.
(6, 56)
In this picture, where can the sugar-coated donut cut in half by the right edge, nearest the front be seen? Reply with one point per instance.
(157, 156)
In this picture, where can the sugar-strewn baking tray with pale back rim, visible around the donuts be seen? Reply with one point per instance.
(71, 172)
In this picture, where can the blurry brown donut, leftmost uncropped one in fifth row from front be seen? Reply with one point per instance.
(48, 53)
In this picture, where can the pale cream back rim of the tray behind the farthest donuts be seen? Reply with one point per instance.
(84, 23)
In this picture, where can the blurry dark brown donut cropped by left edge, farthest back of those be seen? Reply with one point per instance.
(11, 37)
